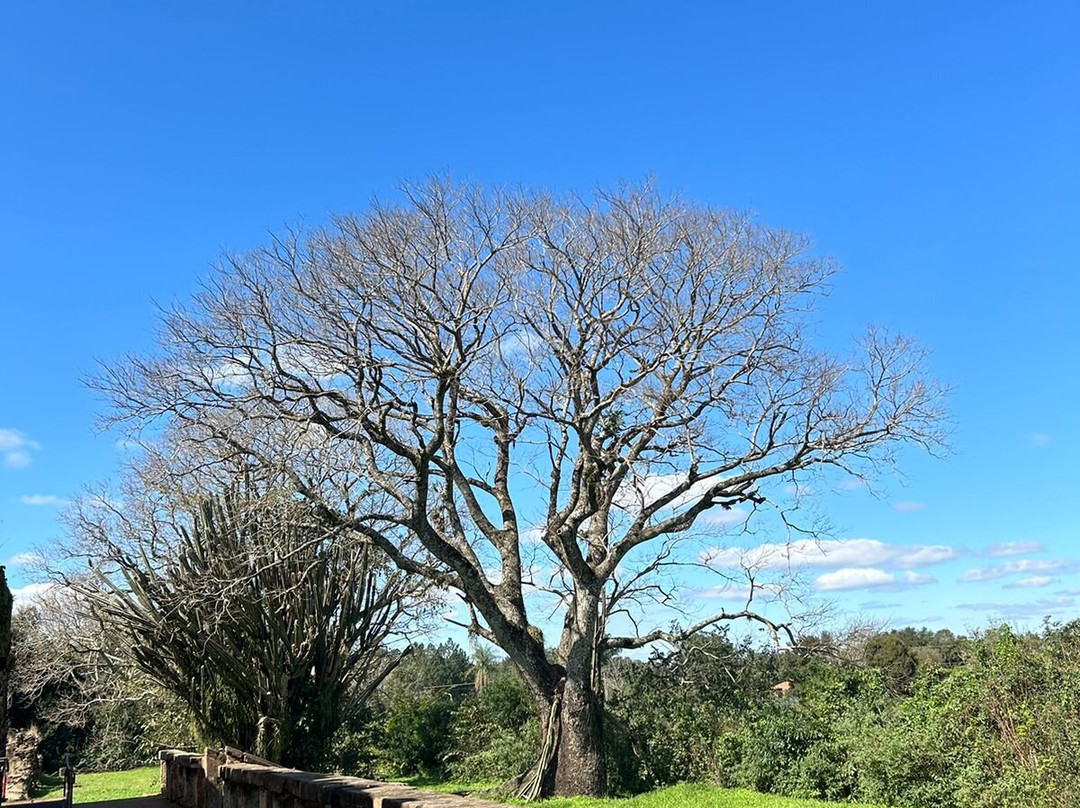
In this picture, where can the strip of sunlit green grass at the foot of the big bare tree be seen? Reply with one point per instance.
(676, 797)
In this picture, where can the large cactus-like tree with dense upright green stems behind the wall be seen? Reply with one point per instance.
(266, 623)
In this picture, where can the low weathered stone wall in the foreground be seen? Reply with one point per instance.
(234, 780)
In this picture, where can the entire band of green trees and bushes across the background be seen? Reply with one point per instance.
(909, 718)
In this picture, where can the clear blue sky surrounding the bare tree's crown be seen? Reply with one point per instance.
(929, 147)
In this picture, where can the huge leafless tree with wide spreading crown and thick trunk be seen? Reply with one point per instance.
(475, 373)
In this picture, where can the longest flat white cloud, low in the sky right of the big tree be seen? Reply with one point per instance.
(832, 554)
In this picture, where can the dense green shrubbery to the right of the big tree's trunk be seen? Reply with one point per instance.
(989, 723)
